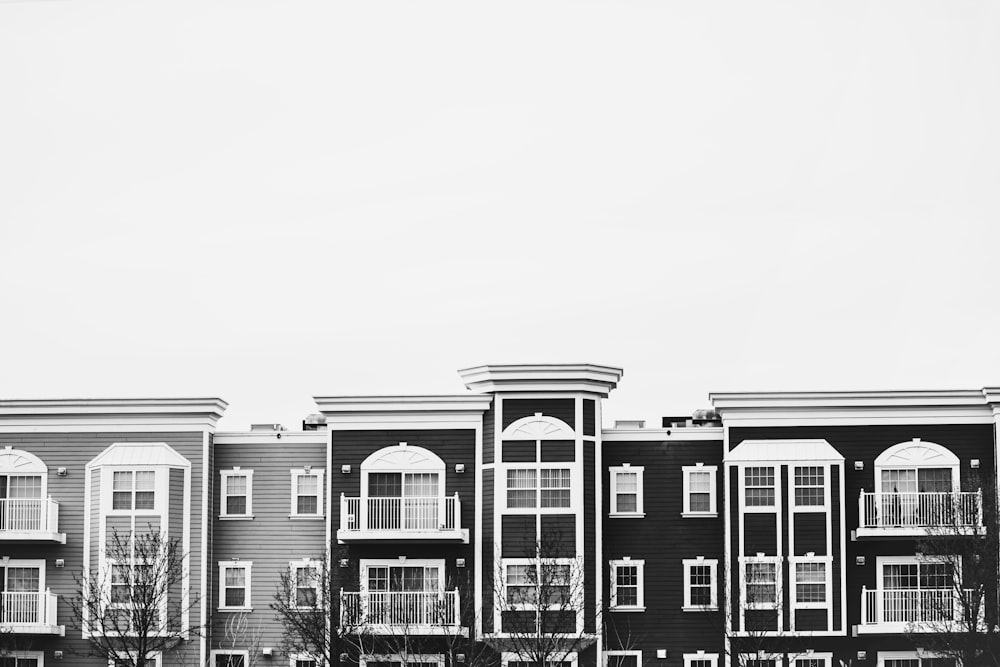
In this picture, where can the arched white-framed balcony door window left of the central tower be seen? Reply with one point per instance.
(403, 487)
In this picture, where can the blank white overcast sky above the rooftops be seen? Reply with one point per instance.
(270, 200)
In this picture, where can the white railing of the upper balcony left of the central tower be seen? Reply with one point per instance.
(417, 514)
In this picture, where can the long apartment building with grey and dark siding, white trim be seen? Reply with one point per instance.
(799, 529)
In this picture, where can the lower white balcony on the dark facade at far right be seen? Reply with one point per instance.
(897, 611)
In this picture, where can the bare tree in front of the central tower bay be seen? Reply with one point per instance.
(541, 603)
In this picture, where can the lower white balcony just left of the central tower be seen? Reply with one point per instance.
(402, 612)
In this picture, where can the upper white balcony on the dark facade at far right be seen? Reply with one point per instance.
(919, 514)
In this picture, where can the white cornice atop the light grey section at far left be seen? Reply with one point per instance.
(114, 414)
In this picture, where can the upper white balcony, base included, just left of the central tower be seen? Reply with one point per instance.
(401, 519)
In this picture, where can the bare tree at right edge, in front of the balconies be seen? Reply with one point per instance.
(958, 619)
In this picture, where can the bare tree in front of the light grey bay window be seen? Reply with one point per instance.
(137, 603)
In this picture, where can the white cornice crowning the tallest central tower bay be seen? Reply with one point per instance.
(589, 378)
